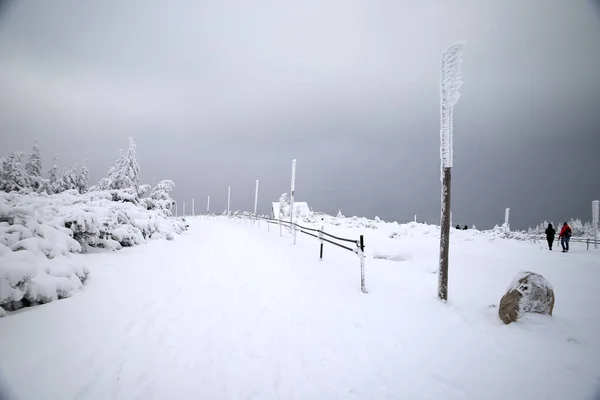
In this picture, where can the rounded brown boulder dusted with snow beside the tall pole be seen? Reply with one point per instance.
(528, 292)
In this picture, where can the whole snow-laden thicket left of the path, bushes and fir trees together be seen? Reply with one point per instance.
(45, 220)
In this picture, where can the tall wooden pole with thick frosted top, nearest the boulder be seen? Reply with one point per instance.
(450, 83)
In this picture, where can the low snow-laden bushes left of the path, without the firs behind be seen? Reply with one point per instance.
(38, 232)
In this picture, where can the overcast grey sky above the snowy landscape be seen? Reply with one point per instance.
(224, 92)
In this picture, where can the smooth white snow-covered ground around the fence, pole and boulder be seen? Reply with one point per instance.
(231, 311)
